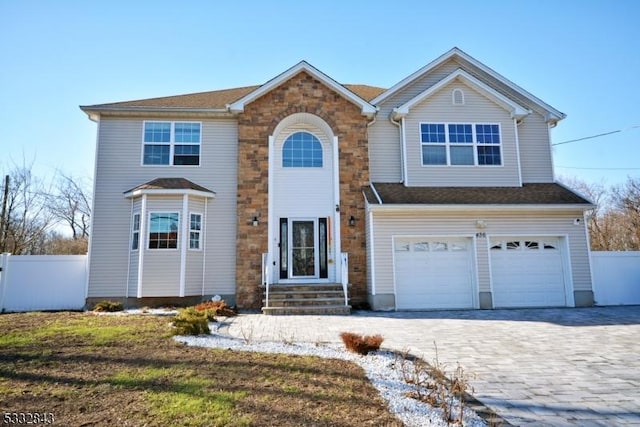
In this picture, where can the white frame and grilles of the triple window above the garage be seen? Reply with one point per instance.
(448, 144)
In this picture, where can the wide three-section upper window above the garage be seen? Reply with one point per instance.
(456, 144)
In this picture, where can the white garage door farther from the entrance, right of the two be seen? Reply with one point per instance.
(527, 272)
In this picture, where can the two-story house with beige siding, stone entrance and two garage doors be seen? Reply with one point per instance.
(437, 193)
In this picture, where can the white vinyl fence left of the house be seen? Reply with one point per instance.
(42, 282)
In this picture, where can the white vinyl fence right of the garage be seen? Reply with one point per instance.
(616, 277)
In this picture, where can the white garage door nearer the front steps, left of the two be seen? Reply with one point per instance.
(433, 273)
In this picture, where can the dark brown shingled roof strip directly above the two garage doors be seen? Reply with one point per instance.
(542, 194)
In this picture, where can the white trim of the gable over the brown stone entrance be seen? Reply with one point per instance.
(303, 66)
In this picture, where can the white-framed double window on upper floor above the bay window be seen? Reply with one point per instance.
(171, 143)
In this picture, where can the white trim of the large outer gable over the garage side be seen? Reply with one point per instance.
(553, 115)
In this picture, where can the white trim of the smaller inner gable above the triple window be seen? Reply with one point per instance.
(516, 110)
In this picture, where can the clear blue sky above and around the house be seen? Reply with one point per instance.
(580, 56)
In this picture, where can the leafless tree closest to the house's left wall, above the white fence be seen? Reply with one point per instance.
(70, 203)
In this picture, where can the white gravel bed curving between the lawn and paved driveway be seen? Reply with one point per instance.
(379, 367)
